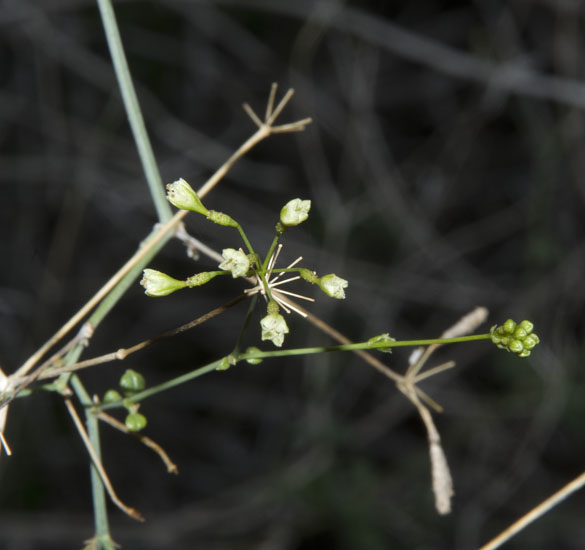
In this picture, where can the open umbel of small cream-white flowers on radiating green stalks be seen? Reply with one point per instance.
(246, 264)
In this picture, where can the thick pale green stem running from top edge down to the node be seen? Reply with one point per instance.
(133, 110)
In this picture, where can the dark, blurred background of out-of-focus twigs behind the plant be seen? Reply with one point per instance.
(445, 168)
